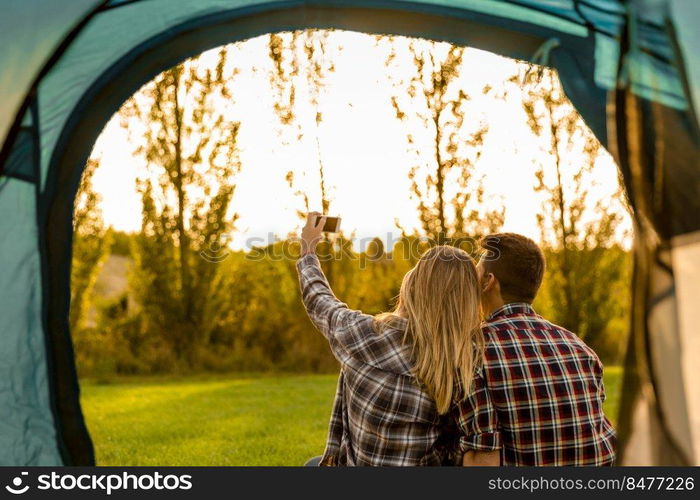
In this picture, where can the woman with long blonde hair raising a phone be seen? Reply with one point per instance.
(401, 371)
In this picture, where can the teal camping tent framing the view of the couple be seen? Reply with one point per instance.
(631, 67)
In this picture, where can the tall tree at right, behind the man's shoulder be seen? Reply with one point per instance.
(588, 272)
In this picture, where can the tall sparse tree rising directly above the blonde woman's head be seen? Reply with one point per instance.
(435, 108)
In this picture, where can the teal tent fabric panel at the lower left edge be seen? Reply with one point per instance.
(27, 434)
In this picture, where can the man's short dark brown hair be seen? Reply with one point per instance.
(517, 263)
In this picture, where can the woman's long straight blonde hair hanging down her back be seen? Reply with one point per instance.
(439, 298)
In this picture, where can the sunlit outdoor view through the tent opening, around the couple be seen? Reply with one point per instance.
(184, 302)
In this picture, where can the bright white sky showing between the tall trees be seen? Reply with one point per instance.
(360, 142)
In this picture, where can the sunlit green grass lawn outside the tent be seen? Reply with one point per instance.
(234, 420)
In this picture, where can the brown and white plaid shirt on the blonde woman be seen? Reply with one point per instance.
(380, 416)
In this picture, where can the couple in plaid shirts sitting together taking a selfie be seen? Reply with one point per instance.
(431, 384)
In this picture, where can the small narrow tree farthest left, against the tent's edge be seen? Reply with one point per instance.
(90, 247)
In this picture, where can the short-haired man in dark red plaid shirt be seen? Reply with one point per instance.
(544, 384)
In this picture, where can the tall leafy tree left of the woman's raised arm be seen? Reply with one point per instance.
(189, 149)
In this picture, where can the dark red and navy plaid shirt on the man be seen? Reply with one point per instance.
(544, 393)
